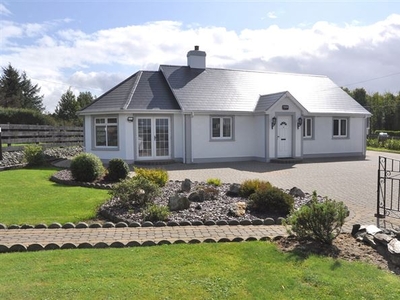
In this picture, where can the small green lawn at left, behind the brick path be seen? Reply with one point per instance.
(28, 197)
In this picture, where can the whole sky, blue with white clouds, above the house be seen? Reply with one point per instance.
(93, 45)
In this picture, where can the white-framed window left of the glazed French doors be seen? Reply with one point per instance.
(106, 132)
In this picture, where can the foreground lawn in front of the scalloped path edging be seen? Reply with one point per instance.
(250, 270)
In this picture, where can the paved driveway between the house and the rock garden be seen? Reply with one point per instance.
(352, 181)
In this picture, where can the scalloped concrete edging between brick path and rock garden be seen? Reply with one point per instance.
(83, 225)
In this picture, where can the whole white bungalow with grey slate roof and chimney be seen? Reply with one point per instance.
(195, 114)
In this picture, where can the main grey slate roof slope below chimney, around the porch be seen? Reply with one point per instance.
(238, 90)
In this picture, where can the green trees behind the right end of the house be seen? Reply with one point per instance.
(385, 108)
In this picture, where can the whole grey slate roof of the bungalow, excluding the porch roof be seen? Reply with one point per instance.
(223, 90)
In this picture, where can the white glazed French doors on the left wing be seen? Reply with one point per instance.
(153, 138)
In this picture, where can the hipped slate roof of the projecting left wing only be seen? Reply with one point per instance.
(142, 91)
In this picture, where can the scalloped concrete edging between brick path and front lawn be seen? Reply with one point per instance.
(102, 245)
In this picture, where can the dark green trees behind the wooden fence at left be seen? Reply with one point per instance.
(21, 102)
